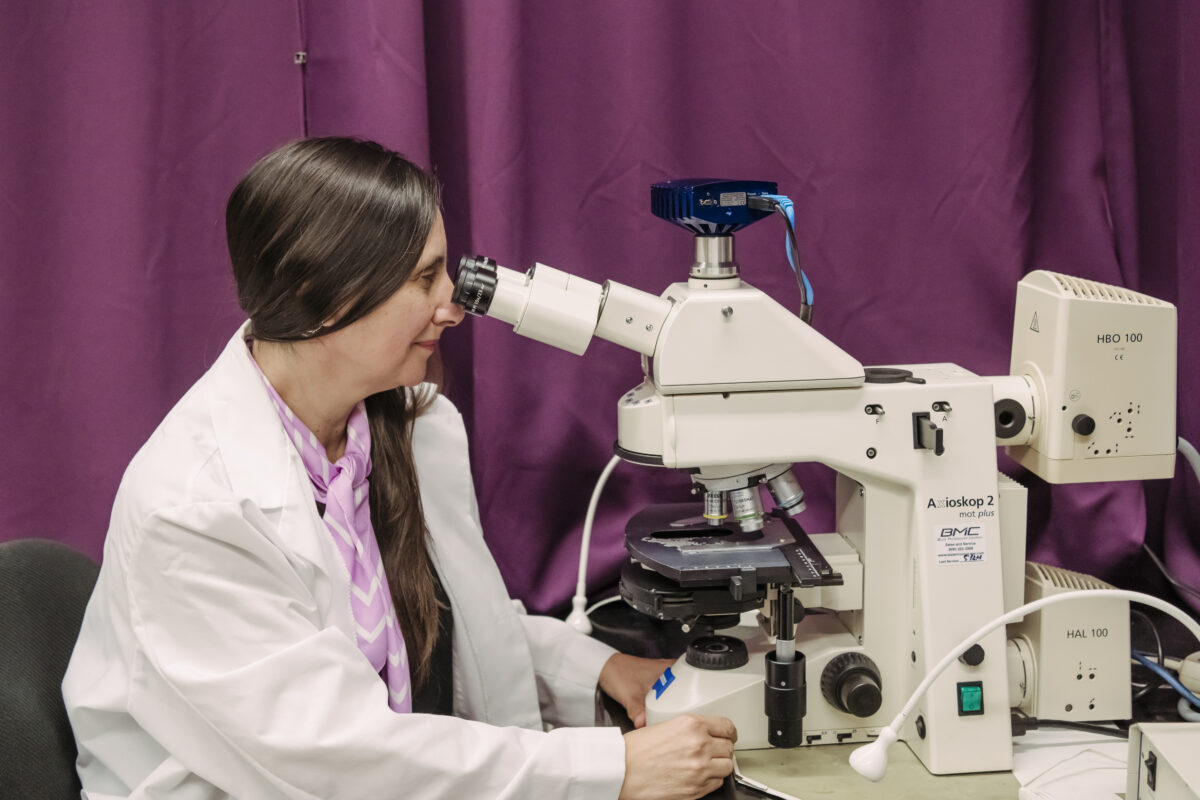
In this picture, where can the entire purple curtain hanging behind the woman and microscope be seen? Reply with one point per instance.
(937, 152)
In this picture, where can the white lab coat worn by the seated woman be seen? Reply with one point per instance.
(218, 655)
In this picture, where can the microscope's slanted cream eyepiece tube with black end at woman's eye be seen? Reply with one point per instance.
(560, 309)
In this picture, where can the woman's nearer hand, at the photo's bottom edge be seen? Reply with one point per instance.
(683, 759)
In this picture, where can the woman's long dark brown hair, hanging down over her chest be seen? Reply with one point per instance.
(327, 230)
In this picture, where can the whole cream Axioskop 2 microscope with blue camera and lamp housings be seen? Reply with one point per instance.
(813, 639)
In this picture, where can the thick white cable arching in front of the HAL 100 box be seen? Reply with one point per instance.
(872, 761)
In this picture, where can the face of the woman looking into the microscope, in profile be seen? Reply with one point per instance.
(392, 346)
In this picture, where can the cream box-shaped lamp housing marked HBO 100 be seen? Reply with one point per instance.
(1100, 362)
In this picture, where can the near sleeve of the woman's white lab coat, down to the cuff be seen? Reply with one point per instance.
(239, 678)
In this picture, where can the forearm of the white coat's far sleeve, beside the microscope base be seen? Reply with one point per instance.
(567, 665)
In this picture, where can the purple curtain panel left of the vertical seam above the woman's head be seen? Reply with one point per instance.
(124, 129)
